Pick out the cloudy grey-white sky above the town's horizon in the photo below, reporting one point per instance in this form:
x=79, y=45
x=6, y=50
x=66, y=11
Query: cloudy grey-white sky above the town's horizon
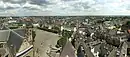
x=63, y=7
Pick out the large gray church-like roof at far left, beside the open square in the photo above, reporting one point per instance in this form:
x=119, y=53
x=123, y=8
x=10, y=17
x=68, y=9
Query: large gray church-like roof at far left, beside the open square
x=13, y=40
